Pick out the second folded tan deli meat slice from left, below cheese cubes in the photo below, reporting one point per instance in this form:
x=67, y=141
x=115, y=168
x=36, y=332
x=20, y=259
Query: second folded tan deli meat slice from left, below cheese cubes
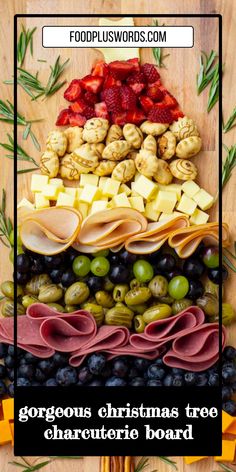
x=110, y=228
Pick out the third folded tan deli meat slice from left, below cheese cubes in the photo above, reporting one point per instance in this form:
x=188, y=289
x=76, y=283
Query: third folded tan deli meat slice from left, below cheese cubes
x=155, y=235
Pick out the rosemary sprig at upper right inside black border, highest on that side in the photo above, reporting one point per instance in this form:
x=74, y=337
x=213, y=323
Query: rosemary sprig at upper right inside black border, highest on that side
x=207, y=70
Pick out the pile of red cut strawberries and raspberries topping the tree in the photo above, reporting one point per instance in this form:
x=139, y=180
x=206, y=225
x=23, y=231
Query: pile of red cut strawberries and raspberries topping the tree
x=122, y=92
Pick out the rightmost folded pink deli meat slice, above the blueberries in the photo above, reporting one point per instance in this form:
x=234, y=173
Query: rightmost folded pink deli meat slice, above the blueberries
x=198, y=350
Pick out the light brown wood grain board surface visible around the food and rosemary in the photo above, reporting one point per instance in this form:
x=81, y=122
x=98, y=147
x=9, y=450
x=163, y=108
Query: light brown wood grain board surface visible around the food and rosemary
x=179, y=77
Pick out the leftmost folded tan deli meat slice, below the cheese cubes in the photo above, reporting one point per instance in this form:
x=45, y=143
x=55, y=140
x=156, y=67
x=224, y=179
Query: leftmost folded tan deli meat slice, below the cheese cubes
x=50, y=230
